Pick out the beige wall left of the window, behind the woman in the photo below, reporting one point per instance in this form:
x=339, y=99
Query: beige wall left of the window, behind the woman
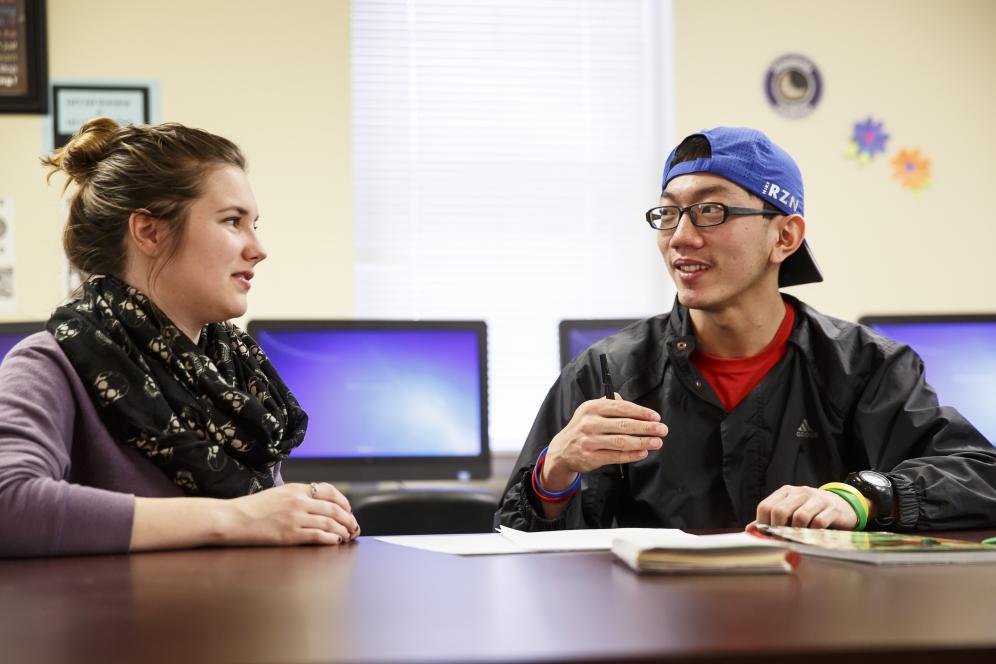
x=272, y=77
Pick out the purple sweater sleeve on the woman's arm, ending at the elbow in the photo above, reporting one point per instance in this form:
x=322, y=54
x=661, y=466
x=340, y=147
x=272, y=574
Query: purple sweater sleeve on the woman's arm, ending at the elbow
x=41, y=513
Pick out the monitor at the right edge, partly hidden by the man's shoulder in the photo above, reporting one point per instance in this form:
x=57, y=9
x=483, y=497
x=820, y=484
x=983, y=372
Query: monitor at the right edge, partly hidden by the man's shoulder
x=959, y=355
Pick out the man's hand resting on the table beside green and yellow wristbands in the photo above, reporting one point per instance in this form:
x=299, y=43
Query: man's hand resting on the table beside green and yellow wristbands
x=806, y=507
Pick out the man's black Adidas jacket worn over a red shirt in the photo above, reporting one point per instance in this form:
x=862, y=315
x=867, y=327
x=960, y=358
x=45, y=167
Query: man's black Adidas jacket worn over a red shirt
x=841, y=399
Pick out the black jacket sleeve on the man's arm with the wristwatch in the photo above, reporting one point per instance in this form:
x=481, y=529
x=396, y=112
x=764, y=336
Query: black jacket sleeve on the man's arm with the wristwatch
x=942, y=469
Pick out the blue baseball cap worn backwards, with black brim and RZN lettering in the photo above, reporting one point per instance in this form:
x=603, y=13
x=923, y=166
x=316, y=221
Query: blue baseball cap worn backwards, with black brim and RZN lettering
x=748, y=158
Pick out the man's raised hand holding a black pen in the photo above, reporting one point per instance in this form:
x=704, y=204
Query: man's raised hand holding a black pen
x=602, y=431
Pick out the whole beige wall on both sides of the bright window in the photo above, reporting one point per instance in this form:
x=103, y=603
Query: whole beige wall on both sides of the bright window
x=276, y=80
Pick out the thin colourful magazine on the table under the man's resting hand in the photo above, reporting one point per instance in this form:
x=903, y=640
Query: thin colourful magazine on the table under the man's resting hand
x=880, y=548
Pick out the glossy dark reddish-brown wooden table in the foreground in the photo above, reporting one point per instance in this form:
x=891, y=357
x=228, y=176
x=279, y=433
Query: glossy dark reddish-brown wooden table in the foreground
x=376, y=602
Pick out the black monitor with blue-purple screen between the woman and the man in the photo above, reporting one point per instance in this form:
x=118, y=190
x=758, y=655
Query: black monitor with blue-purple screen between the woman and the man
x=386, y=400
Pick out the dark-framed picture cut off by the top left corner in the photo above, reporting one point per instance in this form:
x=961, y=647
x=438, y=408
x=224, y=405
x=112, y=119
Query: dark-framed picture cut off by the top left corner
x=23, y=57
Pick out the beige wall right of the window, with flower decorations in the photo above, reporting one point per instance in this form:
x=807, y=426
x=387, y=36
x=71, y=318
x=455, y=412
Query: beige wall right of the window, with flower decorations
x=926, y=68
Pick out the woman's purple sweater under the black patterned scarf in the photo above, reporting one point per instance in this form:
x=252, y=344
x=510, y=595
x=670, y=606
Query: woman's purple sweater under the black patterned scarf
x=66, y=486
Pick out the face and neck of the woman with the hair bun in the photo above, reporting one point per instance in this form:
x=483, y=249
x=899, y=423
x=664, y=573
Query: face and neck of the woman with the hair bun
x=207, y=281
